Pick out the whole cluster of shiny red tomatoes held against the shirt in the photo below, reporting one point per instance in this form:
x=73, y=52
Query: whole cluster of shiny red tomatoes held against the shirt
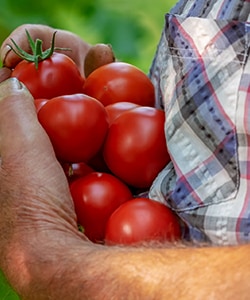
x=110, y=141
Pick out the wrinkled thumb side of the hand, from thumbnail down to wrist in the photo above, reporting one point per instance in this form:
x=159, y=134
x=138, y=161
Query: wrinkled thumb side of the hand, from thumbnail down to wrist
x=36, y=209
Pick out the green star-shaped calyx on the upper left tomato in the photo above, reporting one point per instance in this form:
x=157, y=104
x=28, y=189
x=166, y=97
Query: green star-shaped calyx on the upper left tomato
x=37, y=53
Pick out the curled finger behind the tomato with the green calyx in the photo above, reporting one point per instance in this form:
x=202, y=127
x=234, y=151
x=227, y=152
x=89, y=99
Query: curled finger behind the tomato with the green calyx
x=64, y=39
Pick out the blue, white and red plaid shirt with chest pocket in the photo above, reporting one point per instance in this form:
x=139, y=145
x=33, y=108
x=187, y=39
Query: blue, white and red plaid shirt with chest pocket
x=201, y=72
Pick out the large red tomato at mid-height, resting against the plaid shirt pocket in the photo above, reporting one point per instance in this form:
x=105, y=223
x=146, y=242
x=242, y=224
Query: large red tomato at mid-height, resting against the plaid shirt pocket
x=135, y=147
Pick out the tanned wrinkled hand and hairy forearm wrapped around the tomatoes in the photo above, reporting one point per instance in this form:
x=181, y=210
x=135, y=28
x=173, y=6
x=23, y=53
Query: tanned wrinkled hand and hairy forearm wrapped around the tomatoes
x=45, y=257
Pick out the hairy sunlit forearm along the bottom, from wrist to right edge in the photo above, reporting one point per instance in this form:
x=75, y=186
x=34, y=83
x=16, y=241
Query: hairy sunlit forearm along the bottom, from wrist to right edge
x=90, y=271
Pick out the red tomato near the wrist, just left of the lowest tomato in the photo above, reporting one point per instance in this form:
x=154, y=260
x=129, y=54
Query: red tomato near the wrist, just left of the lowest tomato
x=96, y=196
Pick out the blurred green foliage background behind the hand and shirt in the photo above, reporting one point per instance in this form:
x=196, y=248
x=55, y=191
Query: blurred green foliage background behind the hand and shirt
x=133, y=29
